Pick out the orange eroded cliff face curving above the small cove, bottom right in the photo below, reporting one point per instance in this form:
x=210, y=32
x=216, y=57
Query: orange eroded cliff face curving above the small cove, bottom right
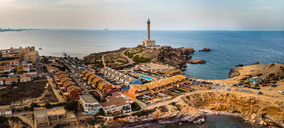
x=255, y=109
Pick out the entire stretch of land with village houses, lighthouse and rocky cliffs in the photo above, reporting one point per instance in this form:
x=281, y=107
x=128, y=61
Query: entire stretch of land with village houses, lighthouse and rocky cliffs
x=131, y=87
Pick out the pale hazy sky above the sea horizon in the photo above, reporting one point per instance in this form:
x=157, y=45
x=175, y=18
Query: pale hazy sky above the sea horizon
x=133, y=14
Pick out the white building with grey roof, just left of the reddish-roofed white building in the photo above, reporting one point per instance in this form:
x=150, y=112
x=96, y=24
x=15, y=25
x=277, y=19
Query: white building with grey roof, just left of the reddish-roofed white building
x=90, y=104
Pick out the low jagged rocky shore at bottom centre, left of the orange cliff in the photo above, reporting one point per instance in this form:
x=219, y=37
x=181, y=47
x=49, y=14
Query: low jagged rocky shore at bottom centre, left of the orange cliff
x=174, y=112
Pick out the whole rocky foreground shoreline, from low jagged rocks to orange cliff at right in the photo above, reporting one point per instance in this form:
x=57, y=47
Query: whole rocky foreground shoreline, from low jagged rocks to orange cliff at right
x=257, y=111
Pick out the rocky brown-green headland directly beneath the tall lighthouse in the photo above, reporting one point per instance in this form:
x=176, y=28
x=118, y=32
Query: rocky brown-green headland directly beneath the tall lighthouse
x=126, y=57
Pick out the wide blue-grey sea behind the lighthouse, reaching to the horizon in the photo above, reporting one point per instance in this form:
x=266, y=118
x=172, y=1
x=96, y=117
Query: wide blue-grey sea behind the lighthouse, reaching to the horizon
x=229, y=48
